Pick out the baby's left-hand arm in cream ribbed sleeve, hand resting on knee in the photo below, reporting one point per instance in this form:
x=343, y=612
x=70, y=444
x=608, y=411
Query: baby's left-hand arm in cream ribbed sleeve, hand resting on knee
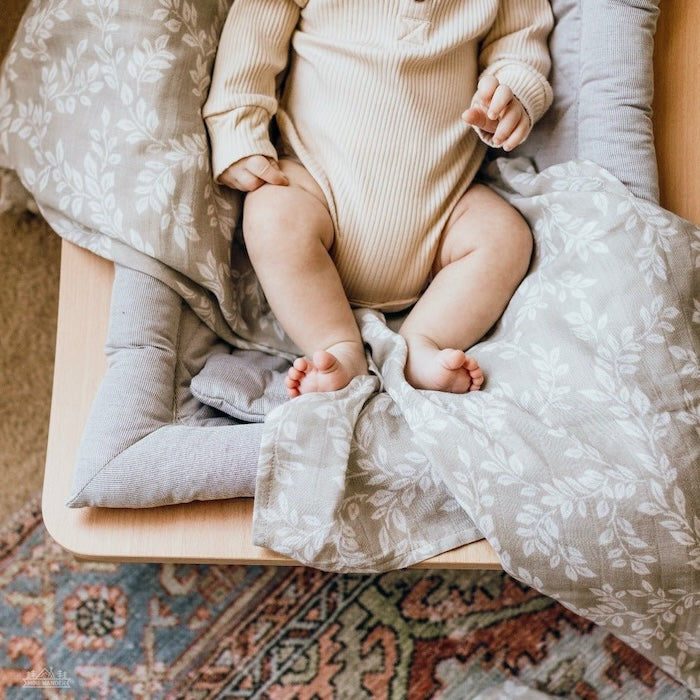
x=253, y=51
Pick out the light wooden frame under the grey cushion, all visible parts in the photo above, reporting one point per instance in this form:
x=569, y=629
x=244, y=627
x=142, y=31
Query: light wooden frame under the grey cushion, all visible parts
x=220, y=531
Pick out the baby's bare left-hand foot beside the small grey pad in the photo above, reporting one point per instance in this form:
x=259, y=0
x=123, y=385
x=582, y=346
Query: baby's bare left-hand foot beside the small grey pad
x=326, y=371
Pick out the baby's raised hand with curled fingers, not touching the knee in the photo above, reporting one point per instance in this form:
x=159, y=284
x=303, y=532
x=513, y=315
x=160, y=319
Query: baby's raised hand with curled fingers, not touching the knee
x=497, y=111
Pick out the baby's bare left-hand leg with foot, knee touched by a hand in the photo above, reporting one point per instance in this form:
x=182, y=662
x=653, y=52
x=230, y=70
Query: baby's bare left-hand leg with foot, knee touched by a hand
x=288, y=232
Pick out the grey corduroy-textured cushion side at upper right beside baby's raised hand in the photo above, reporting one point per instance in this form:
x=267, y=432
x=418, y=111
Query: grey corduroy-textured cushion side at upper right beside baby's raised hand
x=603, y=83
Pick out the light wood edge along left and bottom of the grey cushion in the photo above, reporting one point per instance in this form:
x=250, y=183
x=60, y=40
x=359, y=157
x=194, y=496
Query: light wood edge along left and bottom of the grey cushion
x=216, y=532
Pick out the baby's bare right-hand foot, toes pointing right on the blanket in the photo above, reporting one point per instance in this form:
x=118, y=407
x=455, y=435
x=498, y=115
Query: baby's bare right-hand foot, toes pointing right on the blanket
x=449, y=370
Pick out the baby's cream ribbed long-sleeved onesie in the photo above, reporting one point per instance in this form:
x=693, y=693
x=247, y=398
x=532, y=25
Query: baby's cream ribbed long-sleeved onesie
x=371, y=106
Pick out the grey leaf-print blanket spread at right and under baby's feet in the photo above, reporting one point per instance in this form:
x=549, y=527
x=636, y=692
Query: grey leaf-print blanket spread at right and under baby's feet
x=578, y=460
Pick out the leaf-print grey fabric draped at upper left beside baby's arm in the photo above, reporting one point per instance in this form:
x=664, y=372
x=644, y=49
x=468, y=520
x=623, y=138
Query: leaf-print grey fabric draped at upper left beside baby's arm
x=137, y=172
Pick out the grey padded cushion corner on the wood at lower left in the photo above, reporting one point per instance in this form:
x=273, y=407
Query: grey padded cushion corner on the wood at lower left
x=148, y=440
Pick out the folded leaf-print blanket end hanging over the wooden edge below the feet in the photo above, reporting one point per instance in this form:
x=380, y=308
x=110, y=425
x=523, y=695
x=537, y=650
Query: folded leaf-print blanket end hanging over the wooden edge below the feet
x=328, y=460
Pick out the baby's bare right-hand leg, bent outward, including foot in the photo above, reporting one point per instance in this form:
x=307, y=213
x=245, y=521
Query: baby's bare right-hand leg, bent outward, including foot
x=483, y=256
